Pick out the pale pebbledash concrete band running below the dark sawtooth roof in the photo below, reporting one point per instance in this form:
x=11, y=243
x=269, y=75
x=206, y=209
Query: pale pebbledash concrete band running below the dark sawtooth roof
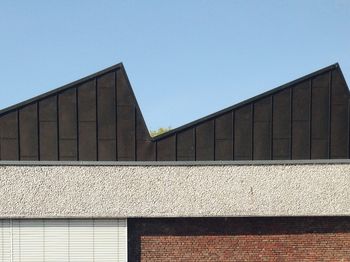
x=174, y=190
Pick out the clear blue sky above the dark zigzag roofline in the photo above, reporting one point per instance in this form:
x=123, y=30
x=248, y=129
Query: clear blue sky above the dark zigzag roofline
x=185, y=59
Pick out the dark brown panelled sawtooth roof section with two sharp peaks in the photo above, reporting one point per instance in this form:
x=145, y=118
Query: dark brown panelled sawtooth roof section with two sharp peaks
x=98, y=118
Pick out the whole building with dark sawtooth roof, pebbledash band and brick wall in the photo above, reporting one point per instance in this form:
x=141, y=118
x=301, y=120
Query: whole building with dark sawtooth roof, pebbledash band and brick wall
x=267, y=178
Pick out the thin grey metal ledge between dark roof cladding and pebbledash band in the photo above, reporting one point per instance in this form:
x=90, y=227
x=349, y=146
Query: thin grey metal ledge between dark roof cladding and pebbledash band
x=177, y=163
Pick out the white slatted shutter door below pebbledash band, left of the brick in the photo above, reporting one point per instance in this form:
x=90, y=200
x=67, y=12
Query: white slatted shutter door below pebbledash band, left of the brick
x=63, y=240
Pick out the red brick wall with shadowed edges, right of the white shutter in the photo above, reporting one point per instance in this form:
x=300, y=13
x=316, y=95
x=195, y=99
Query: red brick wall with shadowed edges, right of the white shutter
x=240, y=239
